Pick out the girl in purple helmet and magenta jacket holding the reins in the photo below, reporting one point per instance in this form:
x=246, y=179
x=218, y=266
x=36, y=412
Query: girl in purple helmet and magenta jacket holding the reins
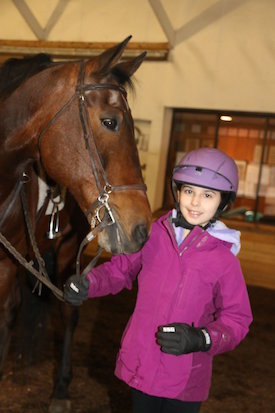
x=192, y=301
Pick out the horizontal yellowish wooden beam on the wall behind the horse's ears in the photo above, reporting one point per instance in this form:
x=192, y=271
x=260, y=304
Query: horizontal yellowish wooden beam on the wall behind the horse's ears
x=78, y=50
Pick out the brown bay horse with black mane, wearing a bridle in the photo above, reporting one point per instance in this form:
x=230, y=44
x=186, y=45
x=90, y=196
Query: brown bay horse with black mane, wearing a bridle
x=68, y=126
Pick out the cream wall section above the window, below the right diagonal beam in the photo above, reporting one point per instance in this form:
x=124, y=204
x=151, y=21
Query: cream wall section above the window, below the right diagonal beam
x=229, y=64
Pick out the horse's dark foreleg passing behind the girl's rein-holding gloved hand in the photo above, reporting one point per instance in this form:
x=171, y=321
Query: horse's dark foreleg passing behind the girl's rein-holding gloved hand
x=75, y=230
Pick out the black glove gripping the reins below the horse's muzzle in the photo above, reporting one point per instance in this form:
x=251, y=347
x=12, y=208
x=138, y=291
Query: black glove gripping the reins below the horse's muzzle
x=76, y=289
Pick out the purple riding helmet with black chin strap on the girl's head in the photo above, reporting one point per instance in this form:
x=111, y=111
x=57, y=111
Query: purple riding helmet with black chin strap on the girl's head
x=209, y=168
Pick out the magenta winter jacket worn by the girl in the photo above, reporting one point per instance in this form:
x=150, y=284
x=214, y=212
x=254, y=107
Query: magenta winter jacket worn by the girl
x=199, y=282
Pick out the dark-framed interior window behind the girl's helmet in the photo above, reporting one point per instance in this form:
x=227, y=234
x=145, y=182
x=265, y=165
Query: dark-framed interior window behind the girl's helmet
x=248, y=138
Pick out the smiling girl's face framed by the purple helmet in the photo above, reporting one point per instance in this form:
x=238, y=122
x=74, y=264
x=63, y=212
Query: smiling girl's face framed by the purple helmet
x=198, y=205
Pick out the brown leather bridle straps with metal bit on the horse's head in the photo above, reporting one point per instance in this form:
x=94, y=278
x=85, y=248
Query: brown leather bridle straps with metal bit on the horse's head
x=96, y=163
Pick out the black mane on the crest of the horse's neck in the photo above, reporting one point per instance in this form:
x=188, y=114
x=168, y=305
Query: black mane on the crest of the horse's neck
x=15, y=70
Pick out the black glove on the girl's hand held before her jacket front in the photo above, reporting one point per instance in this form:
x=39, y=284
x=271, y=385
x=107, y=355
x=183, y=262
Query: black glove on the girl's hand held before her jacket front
x=180, y=338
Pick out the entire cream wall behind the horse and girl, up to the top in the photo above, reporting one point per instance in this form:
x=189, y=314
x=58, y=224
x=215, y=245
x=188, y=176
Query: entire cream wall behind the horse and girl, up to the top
x=223, y=58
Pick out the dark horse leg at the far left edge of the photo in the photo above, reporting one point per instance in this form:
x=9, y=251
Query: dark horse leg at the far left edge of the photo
x=10, y=299
